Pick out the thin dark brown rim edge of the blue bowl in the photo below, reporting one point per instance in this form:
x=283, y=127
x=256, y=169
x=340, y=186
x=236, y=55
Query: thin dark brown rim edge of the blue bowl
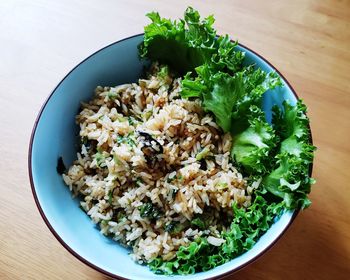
x=82, y=259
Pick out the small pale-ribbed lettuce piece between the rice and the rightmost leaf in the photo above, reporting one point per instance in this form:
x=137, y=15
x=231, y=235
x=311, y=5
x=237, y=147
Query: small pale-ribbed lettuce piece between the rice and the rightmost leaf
x=251, y=148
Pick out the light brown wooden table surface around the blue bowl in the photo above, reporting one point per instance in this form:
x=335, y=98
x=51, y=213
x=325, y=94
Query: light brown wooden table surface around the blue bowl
x=309, y=41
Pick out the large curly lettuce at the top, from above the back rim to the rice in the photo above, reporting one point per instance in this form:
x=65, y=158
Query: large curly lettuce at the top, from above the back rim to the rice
x=214, y=66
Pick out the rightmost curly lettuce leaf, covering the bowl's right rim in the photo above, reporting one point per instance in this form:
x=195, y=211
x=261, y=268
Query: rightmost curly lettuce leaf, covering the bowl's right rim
x=290, y=179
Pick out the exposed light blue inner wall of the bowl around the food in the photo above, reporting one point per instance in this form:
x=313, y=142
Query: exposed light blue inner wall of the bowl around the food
x=55, y=135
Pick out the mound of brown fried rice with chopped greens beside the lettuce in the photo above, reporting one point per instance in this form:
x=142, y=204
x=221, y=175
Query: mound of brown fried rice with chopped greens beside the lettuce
x=150, y=161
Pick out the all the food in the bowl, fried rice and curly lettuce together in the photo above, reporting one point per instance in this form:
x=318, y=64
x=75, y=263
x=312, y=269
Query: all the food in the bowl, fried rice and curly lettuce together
x=183, y=166
